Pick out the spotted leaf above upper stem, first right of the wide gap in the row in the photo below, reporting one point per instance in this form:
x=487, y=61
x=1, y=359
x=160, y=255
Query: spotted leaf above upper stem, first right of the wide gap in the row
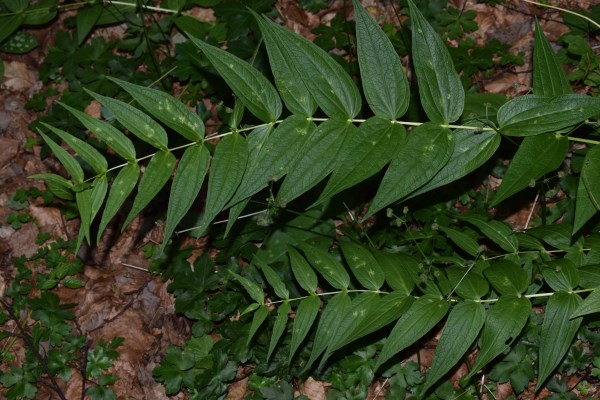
x=249, y=85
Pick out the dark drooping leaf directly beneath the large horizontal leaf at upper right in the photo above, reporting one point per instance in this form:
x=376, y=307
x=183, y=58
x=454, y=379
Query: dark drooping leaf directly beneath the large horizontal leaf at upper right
x=536, y=156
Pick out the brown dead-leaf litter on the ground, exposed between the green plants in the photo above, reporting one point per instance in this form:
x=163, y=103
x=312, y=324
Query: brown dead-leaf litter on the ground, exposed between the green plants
x=120, y=297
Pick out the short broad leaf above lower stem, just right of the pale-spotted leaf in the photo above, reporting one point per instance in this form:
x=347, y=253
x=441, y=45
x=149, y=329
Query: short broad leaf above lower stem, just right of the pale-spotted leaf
x=399, y=270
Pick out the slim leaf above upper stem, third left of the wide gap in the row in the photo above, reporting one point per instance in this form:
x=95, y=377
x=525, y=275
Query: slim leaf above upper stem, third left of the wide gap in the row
x=115, y=139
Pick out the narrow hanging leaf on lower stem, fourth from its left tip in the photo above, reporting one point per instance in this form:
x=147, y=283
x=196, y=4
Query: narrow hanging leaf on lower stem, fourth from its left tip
x=328, y=329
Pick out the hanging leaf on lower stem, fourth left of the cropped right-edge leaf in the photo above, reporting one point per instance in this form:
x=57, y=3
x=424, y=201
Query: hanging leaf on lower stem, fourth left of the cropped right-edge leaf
x=420, y=318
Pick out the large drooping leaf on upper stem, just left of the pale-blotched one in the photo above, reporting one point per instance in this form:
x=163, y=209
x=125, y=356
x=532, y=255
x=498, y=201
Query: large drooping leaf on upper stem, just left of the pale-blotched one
x=364, y=154
